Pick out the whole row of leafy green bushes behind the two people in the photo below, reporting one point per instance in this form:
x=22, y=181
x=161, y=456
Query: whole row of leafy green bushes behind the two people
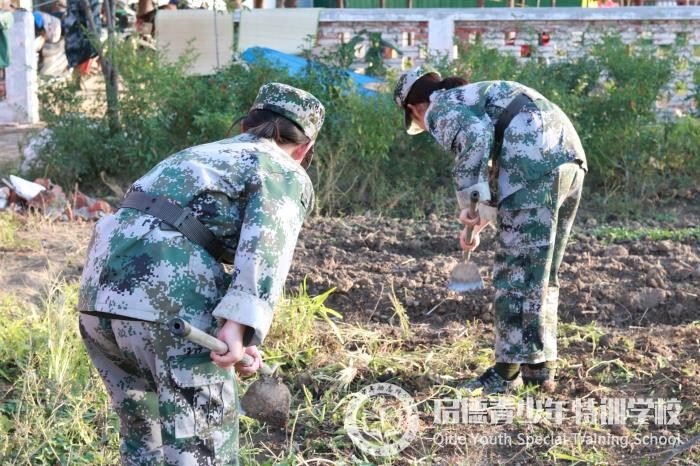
x=364, y=160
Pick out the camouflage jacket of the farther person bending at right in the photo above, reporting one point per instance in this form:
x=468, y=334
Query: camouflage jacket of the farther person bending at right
x=463, y=119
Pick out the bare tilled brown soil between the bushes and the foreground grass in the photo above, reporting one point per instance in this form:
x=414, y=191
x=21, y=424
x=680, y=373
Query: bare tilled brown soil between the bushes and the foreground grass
x=636, y=283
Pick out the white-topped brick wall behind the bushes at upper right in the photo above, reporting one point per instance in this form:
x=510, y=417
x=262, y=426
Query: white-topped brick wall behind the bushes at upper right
x=535, y=33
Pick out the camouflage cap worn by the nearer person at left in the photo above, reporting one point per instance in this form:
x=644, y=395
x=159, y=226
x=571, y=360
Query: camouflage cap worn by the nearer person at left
x=295, y=104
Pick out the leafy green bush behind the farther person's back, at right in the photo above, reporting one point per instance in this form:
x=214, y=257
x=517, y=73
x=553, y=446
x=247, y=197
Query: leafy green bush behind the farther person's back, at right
x=610, y=95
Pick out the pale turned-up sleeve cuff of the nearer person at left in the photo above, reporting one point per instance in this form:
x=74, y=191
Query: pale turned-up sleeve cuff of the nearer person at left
x=248, y=310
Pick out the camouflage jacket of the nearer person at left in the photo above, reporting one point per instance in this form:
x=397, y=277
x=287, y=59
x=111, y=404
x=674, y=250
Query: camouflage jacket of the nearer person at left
x=249, y=193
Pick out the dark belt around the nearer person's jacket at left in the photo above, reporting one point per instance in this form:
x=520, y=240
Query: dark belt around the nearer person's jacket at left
x=183, y=220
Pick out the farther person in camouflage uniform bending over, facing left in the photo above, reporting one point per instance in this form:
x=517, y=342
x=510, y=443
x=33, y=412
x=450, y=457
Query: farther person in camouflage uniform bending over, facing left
x=533, y=176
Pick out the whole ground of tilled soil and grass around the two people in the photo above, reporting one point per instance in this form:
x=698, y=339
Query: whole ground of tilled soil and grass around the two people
x=628, y=328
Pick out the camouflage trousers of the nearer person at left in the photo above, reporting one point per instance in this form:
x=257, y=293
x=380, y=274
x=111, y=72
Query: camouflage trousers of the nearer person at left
x=175, y=406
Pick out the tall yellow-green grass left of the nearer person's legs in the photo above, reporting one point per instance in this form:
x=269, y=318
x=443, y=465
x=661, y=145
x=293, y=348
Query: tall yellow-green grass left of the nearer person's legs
x=53, y=407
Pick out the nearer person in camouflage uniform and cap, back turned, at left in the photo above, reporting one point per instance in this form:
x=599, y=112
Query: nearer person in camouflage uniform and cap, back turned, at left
x=176, y=401
